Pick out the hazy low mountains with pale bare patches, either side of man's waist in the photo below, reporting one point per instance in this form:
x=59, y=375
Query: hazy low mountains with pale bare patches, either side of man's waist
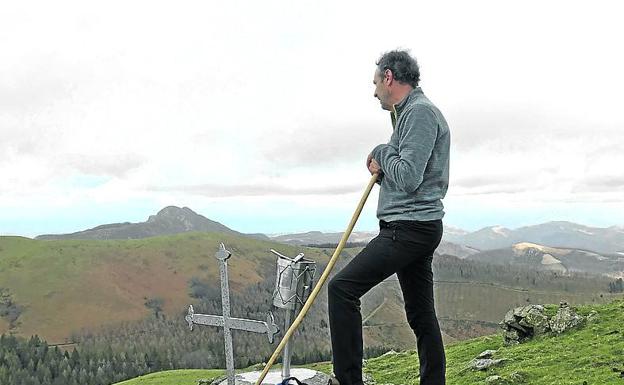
x=502, y=246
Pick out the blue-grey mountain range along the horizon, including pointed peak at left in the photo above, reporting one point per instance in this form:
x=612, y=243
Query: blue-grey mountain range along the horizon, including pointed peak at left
x=461, y=243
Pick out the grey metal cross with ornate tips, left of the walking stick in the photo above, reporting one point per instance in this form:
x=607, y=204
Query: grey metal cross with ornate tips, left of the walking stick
x=228, y=323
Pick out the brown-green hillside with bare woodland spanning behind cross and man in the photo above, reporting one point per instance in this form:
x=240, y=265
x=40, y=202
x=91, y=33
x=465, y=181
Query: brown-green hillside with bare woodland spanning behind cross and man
x=58, y=287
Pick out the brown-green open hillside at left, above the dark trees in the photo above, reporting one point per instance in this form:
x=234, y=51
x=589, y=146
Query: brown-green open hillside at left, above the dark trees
x=62, y=286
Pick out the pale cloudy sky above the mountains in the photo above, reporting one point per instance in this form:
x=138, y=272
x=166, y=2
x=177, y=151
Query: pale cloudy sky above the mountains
x=260, y=114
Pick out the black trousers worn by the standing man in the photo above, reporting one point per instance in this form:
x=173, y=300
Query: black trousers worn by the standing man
x=405, y=248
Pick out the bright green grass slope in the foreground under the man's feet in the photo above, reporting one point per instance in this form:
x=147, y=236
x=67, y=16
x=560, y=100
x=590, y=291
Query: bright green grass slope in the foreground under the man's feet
x=593, y=353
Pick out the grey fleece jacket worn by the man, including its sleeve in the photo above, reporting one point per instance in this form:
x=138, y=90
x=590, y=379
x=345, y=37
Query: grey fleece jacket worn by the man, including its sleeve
x=415, y=162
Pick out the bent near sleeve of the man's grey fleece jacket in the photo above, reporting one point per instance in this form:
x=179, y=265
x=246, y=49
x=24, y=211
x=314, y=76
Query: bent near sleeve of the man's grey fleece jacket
x=405, y=164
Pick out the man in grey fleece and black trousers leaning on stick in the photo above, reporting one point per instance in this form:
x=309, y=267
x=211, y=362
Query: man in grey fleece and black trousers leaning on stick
x=413, y=168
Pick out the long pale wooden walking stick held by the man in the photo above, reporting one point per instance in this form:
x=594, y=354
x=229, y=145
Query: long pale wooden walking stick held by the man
x=319, y=284
